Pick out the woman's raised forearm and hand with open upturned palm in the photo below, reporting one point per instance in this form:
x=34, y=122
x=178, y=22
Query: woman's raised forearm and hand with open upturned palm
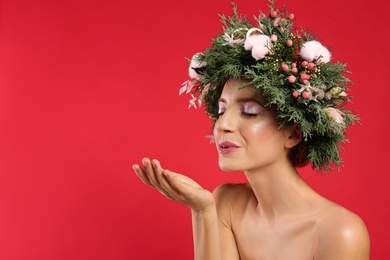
x=184, y=190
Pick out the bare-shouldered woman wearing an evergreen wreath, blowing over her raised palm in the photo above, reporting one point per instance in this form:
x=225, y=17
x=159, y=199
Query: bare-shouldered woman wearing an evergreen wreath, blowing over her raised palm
x=274, y=109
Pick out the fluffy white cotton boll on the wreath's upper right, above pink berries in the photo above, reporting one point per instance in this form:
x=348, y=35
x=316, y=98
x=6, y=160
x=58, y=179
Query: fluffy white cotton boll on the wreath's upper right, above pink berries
x=314, y=50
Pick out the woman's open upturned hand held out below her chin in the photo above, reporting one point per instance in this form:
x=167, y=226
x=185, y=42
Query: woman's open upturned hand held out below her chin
x=174, y=186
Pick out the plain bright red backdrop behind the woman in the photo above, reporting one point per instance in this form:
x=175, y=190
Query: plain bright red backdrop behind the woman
x=89, y=87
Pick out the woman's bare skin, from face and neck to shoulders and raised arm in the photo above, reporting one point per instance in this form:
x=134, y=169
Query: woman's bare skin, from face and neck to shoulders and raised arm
x=276, y=215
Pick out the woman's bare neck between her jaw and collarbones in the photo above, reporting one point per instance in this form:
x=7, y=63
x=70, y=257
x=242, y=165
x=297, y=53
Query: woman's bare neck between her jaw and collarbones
x=280, y=191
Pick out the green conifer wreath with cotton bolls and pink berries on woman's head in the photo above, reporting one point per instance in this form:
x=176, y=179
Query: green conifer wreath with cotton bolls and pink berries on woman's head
x=293, y=70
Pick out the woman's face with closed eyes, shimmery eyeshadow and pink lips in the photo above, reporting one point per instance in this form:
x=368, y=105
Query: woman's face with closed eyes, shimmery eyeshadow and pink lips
x=246, y=133
